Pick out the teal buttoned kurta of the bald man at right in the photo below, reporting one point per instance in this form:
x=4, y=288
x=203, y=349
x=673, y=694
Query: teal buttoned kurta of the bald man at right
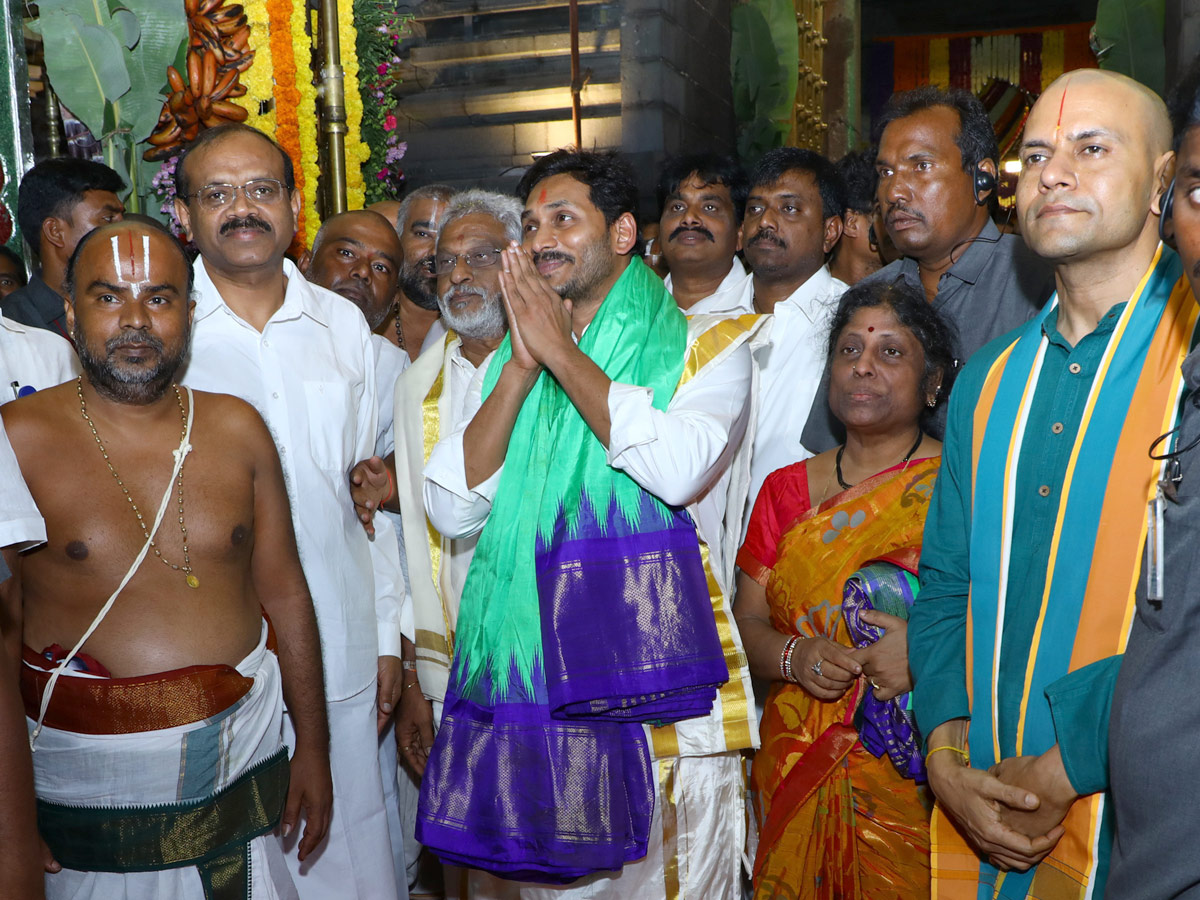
x=937, y=632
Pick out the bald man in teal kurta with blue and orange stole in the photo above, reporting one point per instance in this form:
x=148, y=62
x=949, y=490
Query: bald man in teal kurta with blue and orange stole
x=1039, y=525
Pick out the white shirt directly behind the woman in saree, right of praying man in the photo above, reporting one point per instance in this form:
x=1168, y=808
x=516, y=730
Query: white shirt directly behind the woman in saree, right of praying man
x=791, y=368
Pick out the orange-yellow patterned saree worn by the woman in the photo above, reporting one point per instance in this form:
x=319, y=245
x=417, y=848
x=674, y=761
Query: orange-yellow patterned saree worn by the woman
x=860, y=830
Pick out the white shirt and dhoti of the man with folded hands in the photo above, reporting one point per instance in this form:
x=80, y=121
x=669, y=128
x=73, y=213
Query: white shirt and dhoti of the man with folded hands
x=680, y=455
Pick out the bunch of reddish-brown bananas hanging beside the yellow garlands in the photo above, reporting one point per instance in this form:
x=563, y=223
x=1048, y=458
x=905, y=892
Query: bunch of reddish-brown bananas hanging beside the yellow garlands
x=219, y=52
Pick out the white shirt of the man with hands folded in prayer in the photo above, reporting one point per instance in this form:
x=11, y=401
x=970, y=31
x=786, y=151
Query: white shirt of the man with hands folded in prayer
x=677, y=455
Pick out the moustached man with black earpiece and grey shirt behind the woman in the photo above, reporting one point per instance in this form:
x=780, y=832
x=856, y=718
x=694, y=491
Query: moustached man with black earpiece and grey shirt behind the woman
x=937, y=165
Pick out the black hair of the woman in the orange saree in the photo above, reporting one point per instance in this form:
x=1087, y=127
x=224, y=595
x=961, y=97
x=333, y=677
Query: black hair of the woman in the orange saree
x=935, y=333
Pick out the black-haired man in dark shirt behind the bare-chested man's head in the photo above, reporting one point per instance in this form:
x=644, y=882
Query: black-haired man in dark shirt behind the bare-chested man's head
x=58, y=203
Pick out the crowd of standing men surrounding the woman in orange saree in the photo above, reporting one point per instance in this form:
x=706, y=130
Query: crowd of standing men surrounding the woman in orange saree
x=275, y=557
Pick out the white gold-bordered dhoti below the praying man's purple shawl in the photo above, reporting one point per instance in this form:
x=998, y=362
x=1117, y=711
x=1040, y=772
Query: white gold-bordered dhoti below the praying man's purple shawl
x=698, y=837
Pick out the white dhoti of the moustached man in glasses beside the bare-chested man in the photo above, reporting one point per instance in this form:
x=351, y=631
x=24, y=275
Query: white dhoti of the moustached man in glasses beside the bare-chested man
x=356, y=861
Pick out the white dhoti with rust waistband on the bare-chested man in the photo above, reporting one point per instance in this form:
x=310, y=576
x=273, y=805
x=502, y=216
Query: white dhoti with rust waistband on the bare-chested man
x=184, y=770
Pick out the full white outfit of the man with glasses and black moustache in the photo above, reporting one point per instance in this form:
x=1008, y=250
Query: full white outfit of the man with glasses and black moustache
x=311, y=375
